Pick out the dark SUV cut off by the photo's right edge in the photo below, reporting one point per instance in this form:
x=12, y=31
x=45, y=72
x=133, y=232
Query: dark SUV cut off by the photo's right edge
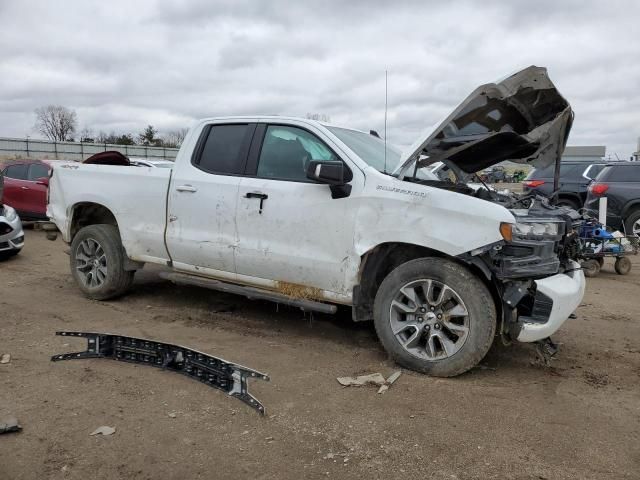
x=620, y=183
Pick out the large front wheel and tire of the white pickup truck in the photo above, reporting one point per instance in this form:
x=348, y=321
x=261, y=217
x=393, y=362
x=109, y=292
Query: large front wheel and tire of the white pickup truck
x=467, y=303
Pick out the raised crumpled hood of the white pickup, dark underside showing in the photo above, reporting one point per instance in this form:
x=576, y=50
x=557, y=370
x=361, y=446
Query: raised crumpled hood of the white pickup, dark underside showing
x=522, y=118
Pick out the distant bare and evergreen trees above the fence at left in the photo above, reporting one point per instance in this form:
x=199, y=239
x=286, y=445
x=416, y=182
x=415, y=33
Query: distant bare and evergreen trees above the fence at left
x=59, y=123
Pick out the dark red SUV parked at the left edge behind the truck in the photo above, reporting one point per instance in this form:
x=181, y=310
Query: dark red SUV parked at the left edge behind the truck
x=25, y=187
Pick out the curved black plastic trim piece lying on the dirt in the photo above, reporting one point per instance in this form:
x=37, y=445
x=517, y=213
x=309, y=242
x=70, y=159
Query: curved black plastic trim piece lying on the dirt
x=215, y=372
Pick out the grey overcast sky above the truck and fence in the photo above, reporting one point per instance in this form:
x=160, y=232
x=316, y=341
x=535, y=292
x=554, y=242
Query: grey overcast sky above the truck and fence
x=125, y=64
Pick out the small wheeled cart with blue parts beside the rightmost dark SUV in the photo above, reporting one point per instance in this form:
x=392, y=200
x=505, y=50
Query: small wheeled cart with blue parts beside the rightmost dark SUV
x=596, y=243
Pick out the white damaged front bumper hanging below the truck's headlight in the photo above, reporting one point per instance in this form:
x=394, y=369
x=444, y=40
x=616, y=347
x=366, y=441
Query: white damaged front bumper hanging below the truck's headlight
x=555, y=298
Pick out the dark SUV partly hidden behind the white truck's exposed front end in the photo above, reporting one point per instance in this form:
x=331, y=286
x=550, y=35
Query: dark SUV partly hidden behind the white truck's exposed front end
x=574, y=180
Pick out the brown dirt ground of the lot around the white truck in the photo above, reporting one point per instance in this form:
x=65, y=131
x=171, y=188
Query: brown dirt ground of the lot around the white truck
x=510, y=419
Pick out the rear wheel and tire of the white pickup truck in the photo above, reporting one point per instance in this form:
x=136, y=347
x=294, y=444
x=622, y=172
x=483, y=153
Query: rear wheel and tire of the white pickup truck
x=97, y=261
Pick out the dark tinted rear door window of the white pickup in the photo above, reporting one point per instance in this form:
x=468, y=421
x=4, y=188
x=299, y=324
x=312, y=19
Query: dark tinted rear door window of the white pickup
x=225, y=149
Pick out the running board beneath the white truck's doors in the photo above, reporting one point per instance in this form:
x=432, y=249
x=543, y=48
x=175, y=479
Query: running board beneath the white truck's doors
x=249, y=292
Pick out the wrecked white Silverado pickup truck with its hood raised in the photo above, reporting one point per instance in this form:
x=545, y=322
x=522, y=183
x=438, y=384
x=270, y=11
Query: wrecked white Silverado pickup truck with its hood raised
x=315, y=215
